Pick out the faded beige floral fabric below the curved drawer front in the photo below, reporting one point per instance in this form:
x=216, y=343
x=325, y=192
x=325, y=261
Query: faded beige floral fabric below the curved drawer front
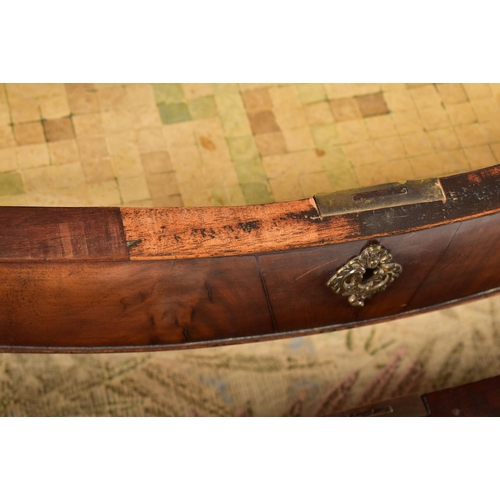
x=305, y=376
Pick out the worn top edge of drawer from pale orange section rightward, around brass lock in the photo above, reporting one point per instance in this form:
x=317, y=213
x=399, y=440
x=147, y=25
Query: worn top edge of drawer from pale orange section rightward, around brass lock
x=184, y=233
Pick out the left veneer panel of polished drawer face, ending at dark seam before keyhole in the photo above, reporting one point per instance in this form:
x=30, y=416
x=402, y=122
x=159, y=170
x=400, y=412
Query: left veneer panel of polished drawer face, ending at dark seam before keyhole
x=116, y=304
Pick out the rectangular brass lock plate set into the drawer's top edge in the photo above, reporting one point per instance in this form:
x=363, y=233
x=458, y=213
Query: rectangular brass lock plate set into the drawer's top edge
x=395, y=194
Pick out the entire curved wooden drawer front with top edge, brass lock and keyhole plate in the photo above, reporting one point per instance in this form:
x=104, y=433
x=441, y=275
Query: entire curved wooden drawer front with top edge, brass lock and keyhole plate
x=116, y=279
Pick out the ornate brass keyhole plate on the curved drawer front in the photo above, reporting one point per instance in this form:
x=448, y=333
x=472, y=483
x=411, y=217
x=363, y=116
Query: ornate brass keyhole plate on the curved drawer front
x=367, y=274
